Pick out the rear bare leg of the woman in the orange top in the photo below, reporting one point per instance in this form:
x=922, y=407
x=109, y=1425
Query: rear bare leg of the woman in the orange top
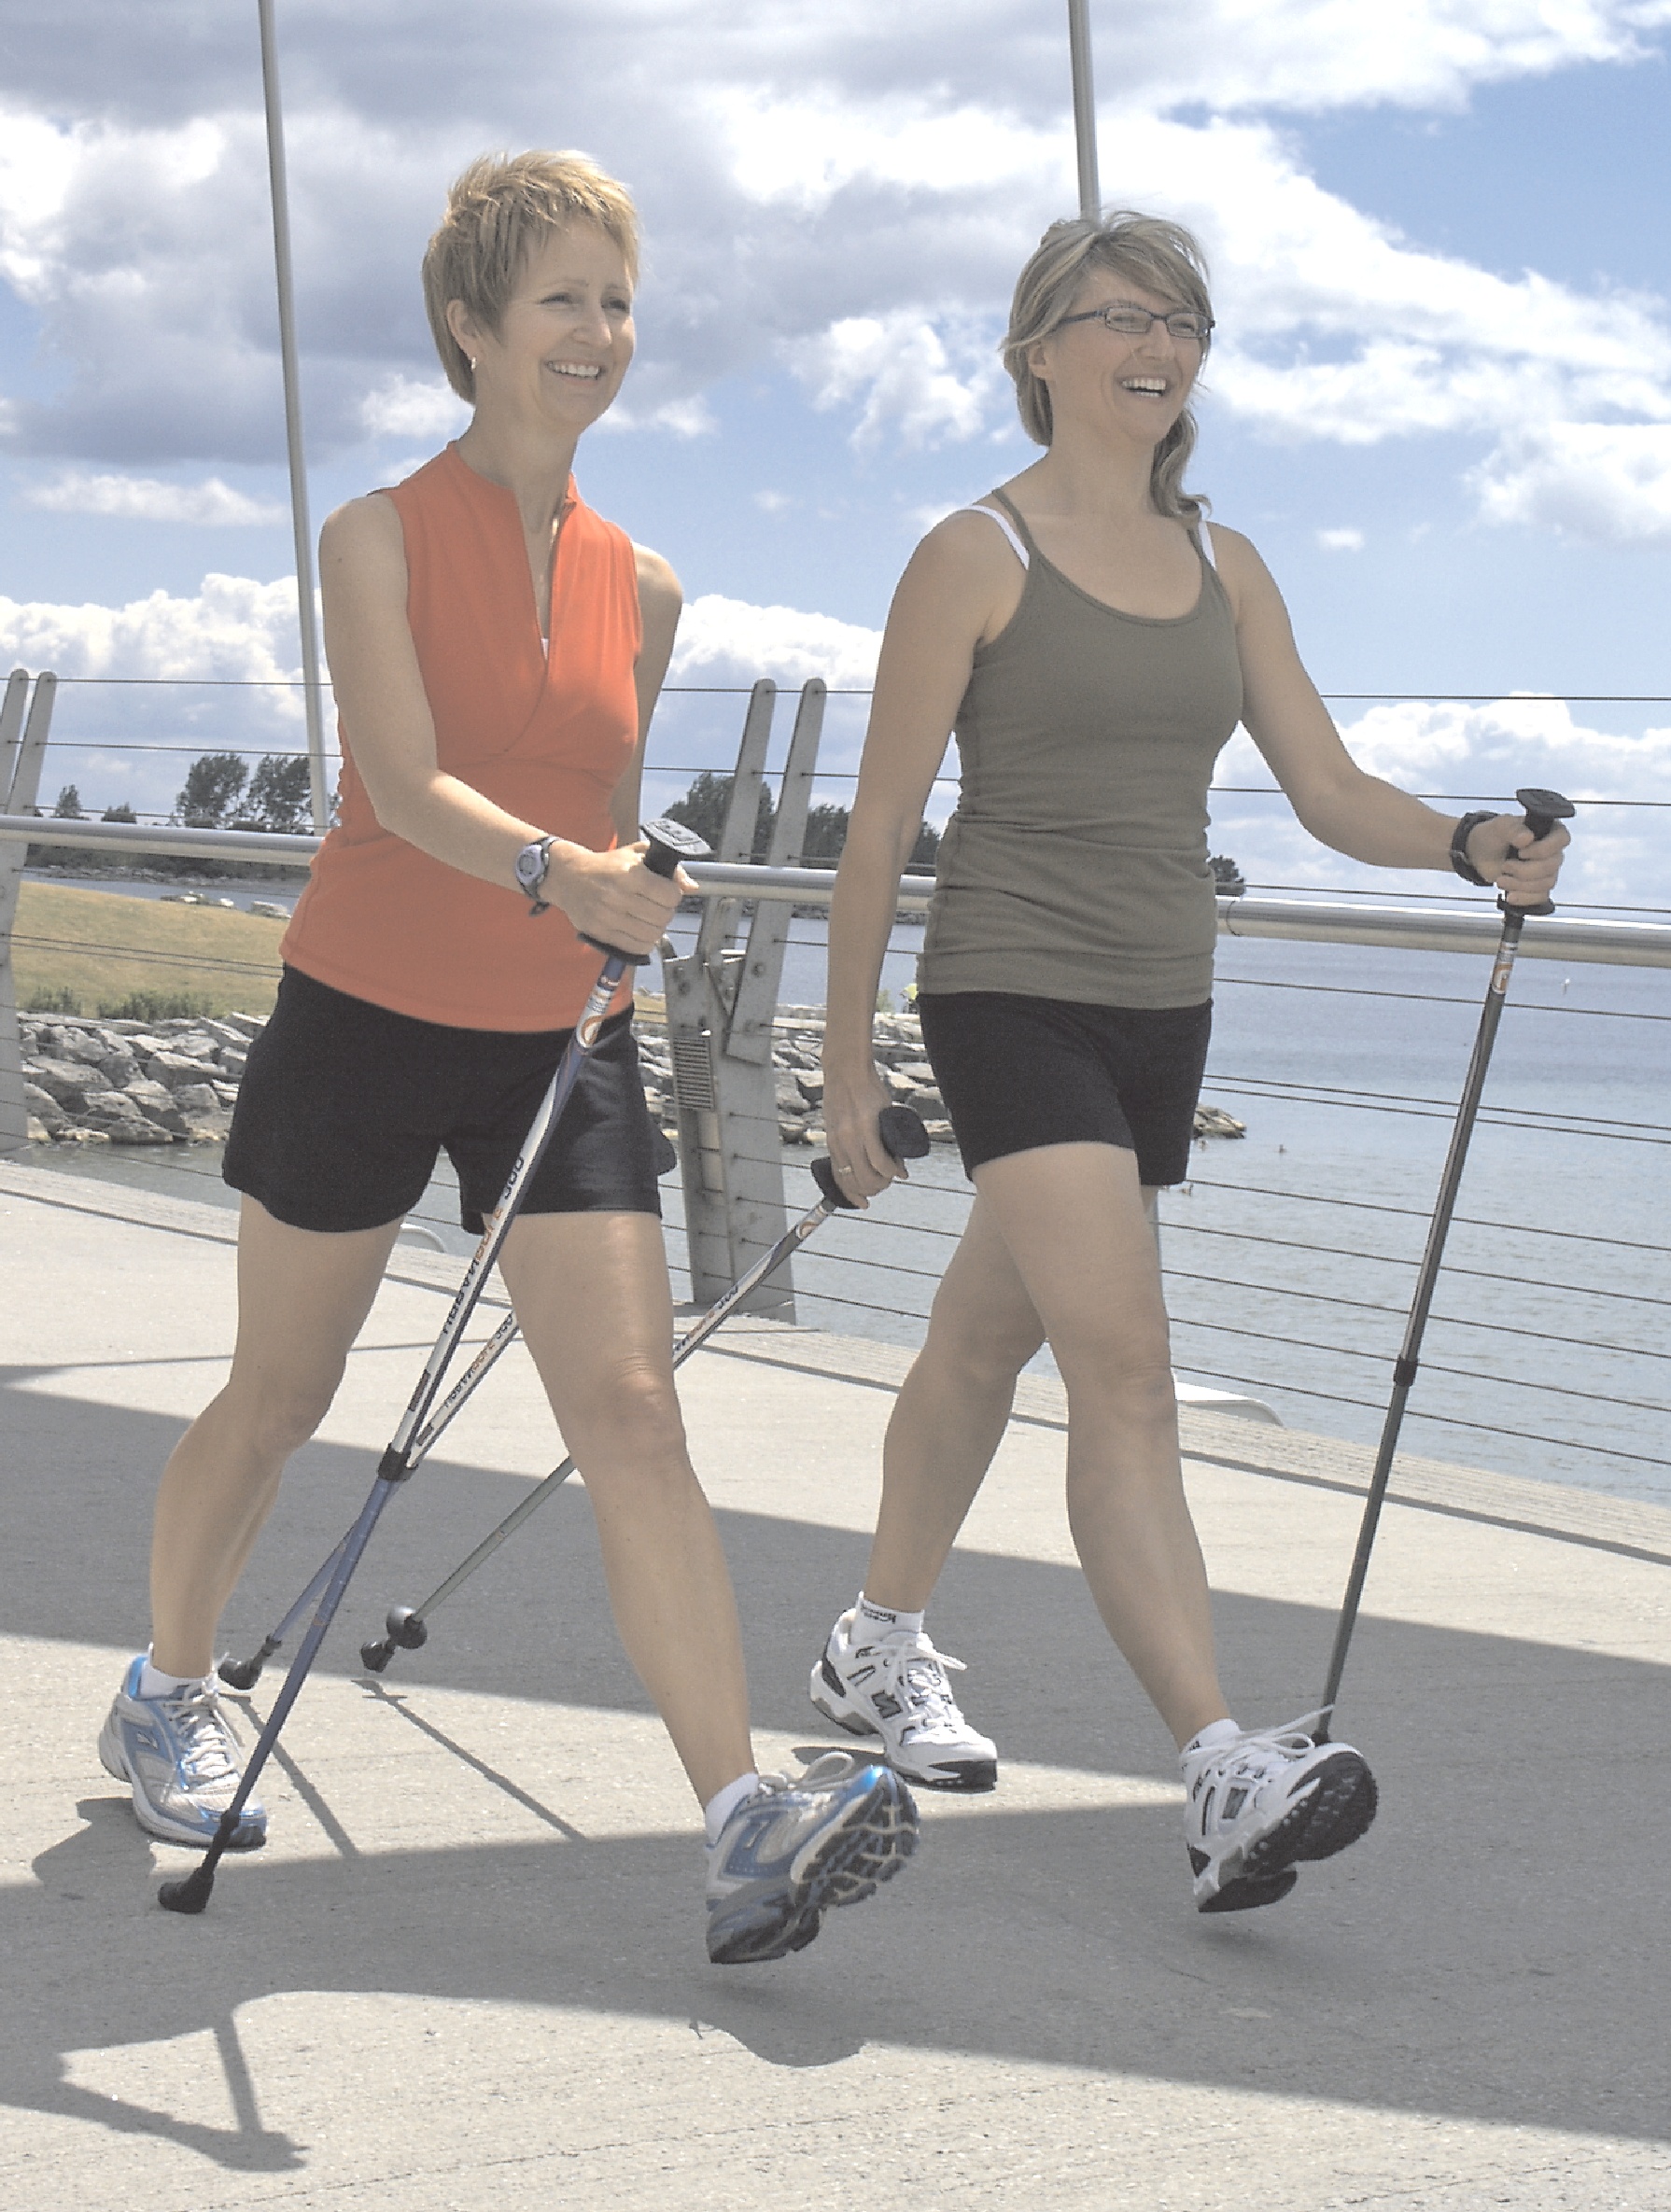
x=302, y=1304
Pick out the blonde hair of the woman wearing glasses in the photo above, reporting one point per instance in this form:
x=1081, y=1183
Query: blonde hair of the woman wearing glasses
x=1143, y=249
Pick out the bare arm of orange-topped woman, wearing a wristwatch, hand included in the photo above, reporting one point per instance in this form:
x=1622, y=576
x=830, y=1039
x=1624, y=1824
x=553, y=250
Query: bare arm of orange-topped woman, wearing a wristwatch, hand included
x=380, y=687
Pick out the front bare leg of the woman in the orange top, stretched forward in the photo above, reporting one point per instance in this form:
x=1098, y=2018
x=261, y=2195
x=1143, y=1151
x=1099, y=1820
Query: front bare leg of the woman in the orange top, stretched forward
x=596, y=1313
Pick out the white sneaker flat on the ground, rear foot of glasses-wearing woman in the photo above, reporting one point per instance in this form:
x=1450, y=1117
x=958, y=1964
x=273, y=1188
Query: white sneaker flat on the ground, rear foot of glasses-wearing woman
x=895, y=1687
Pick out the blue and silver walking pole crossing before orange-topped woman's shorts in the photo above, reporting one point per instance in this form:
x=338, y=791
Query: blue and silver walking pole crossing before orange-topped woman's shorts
x=670, y=842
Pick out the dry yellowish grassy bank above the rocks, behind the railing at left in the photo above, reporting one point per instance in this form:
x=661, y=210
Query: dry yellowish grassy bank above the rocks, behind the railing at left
x=94, y=952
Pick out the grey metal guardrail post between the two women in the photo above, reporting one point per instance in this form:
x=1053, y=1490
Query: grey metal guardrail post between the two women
x=720, y=1005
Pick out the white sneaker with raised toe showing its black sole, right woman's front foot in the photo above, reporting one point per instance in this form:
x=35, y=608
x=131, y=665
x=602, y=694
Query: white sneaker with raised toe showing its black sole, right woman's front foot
x=1263, y=1802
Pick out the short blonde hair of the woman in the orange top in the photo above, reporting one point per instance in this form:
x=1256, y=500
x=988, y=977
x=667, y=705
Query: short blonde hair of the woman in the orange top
x=497, y=213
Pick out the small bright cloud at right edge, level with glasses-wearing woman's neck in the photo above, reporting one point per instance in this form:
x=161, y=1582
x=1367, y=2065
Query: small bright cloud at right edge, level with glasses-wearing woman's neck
x=1601, y=481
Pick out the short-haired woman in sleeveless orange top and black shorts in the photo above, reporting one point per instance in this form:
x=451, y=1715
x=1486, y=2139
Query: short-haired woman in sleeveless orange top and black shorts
x=497, y=651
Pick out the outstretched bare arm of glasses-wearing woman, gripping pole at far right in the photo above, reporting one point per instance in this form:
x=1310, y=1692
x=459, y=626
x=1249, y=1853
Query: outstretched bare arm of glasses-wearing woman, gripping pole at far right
x=1331, y=795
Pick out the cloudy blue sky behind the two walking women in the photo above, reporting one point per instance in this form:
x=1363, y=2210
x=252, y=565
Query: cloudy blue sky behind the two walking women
x=1440, y=404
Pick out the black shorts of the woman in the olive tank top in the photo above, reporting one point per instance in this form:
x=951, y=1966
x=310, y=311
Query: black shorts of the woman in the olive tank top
x=1024, y=1072
